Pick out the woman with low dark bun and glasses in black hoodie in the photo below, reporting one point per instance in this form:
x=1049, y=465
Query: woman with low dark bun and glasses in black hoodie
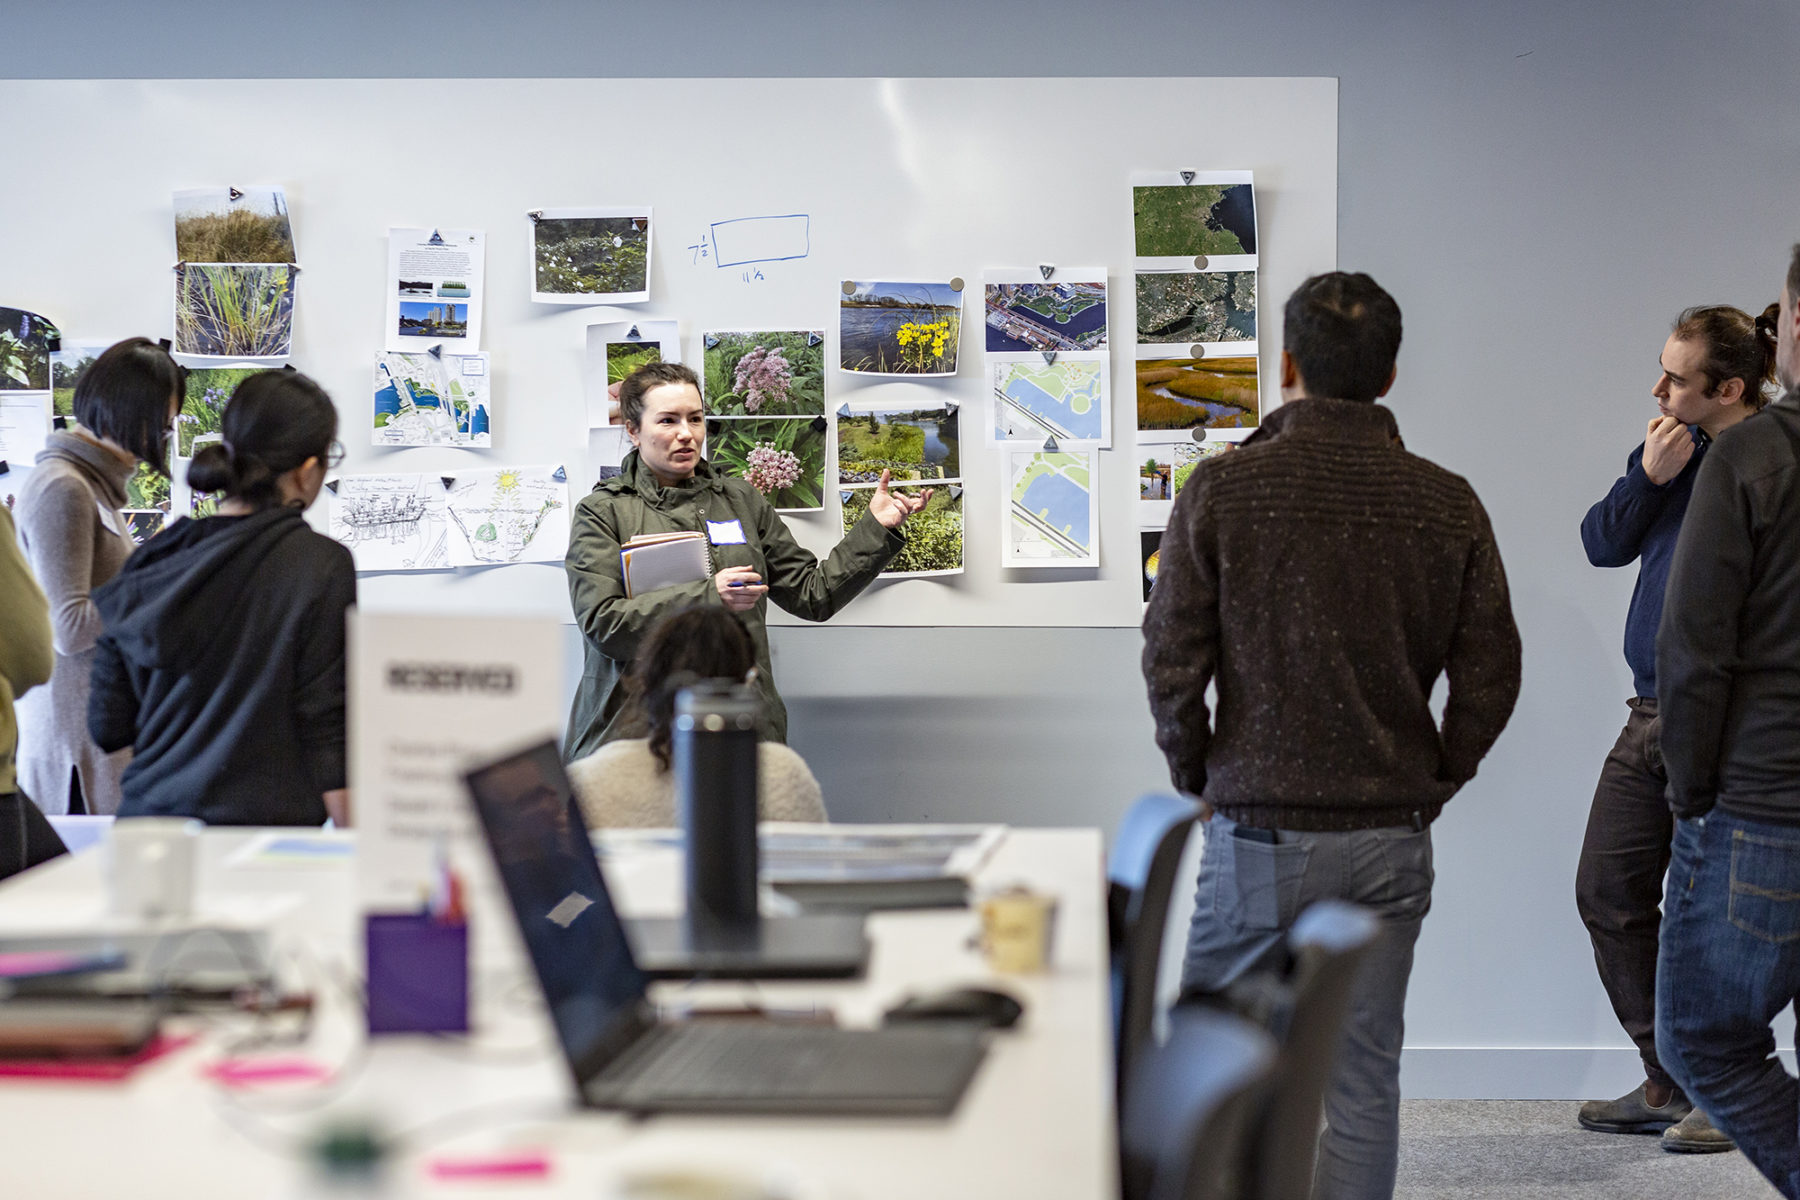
x=222, y=663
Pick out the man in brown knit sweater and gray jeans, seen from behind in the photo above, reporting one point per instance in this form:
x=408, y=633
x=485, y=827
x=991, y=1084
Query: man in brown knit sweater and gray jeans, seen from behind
x=1322, y=578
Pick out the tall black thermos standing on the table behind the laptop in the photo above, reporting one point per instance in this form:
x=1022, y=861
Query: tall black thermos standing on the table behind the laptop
x=715, y=794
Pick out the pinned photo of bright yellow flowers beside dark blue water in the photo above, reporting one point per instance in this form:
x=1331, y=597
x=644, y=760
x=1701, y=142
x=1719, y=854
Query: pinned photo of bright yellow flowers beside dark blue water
x=899, y=328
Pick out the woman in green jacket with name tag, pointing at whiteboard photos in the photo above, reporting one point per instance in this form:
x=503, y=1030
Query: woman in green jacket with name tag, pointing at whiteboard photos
x=669, y=487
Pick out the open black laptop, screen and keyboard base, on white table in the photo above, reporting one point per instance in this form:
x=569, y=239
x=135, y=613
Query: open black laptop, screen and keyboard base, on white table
x=620, y=1053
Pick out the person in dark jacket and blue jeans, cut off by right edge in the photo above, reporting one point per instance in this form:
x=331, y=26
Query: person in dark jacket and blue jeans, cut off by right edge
x=1729, y=681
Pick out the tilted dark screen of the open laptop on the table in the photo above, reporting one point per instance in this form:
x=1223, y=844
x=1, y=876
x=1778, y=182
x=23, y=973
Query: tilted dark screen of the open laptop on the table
x=575, y=938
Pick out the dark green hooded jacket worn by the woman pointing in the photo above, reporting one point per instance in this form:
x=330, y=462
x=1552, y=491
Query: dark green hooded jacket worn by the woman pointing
x=611, y=625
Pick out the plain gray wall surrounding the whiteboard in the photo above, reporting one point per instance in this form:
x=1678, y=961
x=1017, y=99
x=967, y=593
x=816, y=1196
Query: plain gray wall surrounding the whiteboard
x=1542, y=184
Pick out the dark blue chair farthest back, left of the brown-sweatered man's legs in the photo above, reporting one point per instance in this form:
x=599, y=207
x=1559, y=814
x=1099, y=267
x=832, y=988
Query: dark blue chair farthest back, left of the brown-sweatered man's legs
x=1140, y=882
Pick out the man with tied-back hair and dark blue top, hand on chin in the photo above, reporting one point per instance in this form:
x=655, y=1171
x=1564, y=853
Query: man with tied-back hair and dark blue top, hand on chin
x=1714, y=372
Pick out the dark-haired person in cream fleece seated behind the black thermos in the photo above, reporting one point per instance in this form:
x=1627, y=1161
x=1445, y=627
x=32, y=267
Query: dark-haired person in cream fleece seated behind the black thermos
x=629, y=782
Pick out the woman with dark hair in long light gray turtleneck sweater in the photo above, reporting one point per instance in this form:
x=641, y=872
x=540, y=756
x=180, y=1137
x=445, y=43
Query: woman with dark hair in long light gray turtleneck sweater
x=76, y=539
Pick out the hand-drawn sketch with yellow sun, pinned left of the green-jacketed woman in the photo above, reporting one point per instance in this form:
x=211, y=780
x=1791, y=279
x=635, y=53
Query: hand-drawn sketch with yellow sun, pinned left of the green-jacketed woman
x=510, y=515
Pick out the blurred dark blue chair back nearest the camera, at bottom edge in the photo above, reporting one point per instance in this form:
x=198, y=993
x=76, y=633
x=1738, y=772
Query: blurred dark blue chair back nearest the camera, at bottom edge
x=1192, y=1109
